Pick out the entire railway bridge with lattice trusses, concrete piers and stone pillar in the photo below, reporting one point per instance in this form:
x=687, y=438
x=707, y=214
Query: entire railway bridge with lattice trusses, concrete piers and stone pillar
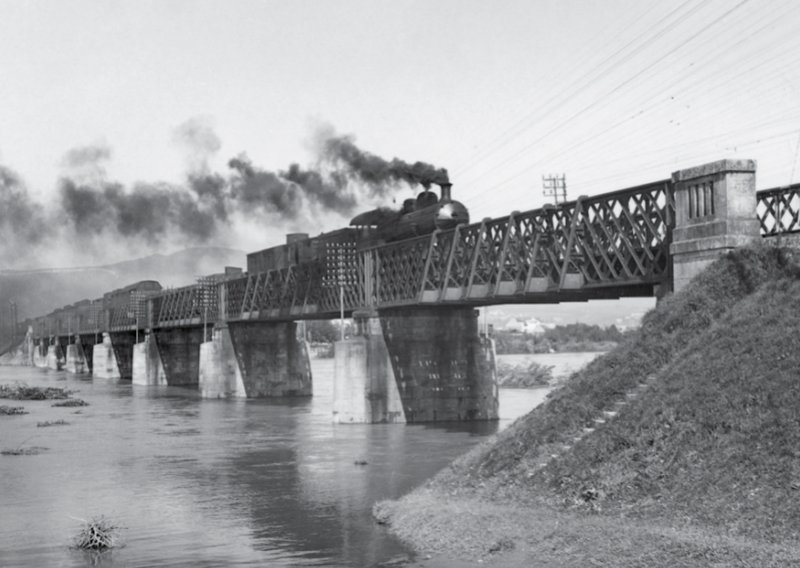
x=417, y=354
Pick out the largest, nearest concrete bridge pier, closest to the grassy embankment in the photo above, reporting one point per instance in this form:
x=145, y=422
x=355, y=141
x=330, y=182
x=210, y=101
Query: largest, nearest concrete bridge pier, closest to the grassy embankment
x=424, y=364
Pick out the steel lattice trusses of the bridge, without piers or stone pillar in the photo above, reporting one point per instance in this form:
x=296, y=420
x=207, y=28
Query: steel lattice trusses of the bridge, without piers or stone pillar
x=607, y=246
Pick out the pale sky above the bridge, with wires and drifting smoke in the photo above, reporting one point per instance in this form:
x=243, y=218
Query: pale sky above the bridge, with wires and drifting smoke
x=140, y=105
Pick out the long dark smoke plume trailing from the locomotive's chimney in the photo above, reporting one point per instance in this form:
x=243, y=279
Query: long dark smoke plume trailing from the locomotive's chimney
x=92, y=210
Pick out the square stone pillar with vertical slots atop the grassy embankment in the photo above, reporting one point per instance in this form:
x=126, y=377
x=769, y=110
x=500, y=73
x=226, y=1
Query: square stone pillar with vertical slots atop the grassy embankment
x=715, y=212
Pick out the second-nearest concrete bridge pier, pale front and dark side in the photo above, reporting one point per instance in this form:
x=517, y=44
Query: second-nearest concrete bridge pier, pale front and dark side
x=268, y=357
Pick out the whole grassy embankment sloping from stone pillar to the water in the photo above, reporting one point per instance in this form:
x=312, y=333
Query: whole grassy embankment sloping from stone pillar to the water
x=697, y=463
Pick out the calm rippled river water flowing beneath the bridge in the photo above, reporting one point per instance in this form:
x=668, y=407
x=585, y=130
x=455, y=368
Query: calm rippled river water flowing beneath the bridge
x=198, y=482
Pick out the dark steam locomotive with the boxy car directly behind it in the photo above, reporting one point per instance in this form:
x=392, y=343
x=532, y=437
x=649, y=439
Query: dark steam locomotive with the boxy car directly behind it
x=418, y=216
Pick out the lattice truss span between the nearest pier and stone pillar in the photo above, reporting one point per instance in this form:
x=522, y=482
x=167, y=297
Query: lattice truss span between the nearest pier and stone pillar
x=619, y=238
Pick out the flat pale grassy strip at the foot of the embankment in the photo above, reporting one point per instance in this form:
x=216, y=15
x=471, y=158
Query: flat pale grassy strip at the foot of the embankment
x=470, y=531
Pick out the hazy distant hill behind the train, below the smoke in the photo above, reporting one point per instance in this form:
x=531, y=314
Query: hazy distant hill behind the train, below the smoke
x=40, y=291
